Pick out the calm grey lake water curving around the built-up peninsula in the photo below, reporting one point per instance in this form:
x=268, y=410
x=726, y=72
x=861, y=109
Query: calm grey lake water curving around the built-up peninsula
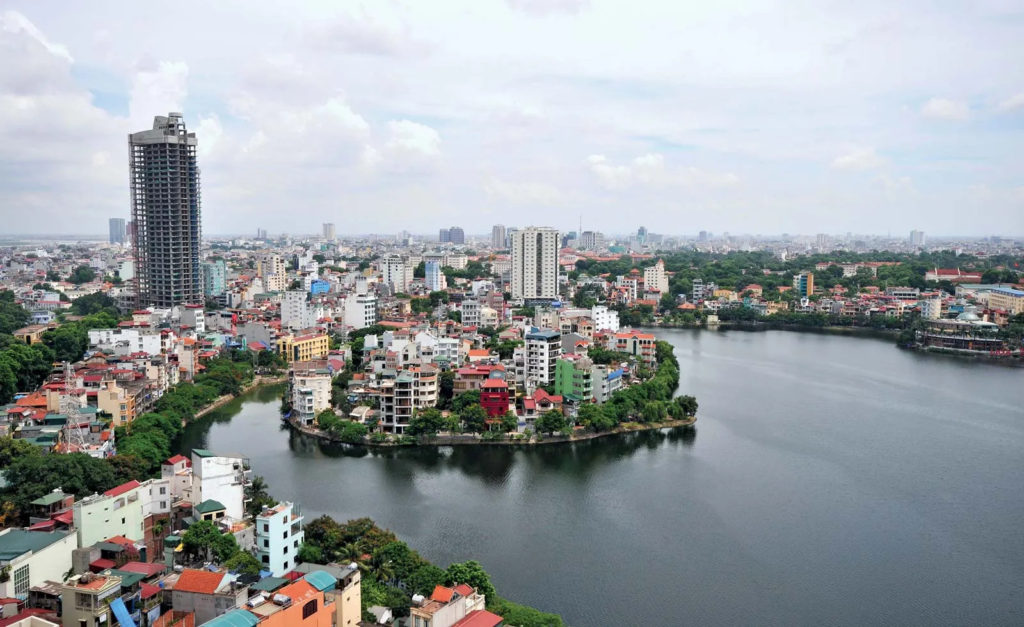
x=829, y=481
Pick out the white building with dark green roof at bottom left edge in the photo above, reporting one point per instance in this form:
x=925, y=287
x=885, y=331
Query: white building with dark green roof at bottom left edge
x=33, y=558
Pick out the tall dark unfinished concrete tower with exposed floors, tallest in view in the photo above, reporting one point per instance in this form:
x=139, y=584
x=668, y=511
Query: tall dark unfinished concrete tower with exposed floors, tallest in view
x=165, y=197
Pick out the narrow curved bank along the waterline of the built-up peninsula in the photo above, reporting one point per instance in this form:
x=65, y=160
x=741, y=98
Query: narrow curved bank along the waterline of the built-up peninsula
x=476, y=440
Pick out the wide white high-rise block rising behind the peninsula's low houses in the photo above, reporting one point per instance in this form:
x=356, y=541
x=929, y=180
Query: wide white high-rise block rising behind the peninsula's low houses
x=535, y=264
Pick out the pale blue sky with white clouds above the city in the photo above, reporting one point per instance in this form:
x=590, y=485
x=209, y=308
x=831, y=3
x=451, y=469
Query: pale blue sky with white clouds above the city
x=383, y=116
